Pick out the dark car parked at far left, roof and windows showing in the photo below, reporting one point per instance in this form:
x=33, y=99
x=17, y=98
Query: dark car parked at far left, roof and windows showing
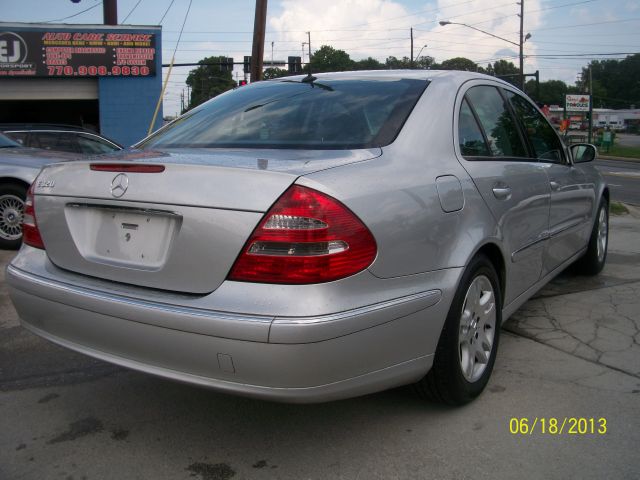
x=63, y=138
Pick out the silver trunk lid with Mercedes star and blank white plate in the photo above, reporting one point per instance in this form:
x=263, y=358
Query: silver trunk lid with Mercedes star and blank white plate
x=179, y=227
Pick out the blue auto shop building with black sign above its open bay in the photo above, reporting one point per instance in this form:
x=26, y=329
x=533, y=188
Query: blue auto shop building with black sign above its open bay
x=104, y=77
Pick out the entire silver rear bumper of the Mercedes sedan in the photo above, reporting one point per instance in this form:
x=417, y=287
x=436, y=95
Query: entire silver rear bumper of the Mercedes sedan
x=296, y=359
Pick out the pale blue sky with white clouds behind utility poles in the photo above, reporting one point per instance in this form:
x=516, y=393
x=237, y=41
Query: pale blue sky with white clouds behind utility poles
x=565, y=34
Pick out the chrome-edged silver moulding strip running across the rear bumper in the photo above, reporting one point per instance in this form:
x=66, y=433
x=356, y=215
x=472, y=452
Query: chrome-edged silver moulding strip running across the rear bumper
x=231, y=325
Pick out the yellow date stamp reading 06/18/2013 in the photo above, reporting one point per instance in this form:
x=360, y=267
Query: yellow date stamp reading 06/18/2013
x=558, y=426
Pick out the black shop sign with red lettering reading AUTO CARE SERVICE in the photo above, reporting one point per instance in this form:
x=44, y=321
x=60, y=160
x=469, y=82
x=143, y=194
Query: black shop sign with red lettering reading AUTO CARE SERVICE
x=76, y=52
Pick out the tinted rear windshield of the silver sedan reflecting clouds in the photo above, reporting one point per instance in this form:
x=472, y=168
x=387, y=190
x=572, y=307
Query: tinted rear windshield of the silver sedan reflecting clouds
x=324, y=114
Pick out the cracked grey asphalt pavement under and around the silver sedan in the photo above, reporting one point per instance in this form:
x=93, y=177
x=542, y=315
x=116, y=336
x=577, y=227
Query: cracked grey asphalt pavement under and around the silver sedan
x=563, y=402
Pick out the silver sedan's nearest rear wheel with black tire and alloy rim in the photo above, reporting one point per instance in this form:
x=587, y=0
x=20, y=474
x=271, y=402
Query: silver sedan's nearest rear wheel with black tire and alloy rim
x=467, y=347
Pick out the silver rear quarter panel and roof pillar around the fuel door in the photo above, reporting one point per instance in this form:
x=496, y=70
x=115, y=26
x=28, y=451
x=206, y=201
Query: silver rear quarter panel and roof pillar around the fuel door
x=396, y=196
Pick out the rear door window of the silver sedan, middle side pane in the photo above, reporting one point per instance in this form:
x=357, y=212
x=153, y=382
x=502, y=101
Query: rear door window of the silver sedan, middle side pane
x=497, y=122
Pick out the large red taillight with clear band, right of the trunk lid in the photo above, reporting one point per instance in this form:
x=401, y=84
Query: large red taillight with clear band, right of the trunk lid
x=306, y=237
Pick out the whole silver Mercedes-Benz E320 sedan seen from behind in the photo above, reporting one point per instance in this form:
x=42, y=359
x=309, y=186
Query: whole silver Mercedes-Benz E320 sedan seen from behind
x=314, y=237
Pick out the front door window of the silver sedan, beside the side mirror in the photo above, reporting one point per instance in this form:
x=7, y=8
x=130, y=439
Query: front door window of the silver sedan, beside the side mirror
x=543, y=138
